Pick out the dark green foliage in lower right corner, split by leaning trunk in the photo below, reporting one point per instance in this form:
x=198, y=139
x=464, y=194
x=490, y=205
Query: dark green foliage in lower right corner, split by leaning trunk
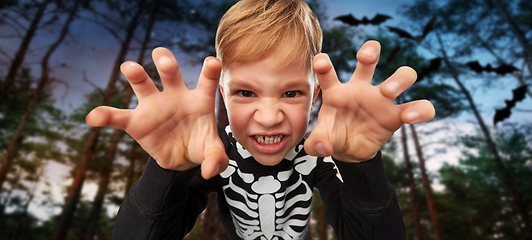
x=475, y=195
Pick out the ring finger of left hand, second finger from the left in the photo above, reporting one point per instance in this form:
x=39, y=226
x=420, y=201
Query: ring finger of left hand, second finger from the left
x=138, y=79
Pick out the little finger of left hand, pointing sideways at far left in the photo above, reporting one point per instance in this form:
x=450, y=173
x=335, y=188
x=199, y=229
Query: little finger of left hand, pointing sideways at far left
x=108, y=116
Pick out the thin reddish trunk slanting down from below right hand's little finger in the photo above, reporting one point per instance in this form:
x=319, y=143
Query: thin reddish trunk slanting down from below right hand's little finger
x=426, y=186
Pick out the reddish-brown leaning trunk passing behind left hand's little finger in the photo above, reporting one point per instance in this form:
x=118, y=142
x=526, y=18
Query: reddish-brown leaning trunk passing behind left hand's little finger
x=74, y=192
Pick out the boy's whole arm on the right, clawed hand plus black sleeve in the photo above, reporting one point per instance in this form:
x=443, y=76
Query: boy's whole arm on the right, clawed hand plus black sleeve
x=354, y=122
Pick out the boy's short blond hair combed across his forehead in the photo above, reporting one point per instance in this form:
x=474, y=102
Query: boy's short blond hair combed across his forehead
x=253, y=29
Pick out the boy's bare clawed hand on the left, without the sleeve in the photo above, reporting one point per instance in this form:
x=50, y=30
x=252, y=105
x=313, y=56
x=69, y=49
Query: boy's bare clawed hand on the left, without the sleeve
x=177, y=127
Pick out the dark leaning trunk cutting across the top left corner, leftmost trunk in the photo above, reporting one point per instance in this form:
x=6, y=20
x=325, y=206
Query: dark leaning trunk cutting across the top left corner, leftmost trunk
x=21, y=52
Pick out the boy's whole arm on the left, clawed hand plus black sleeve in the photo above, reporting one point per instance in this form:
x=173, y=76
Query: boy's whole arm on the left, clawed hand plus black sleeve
x=177, y=127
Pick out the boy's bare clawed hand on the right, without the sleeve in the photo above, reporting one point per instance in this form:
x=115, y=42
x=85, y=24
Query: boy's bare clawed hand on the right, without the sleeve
x=357, y=118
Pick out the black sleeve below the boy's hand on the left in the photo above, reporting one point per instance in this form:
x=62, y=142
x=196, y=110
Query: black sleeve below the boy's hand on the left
x=162, y=204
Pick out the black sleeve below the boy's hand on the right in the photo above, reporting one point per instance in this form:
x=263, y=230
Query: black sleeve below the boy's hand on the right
x=361, y=204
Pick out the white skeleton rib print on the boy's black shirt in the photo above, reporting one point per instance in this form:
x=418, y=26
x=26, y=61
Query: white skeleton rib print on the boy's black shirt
x=270, y=206
